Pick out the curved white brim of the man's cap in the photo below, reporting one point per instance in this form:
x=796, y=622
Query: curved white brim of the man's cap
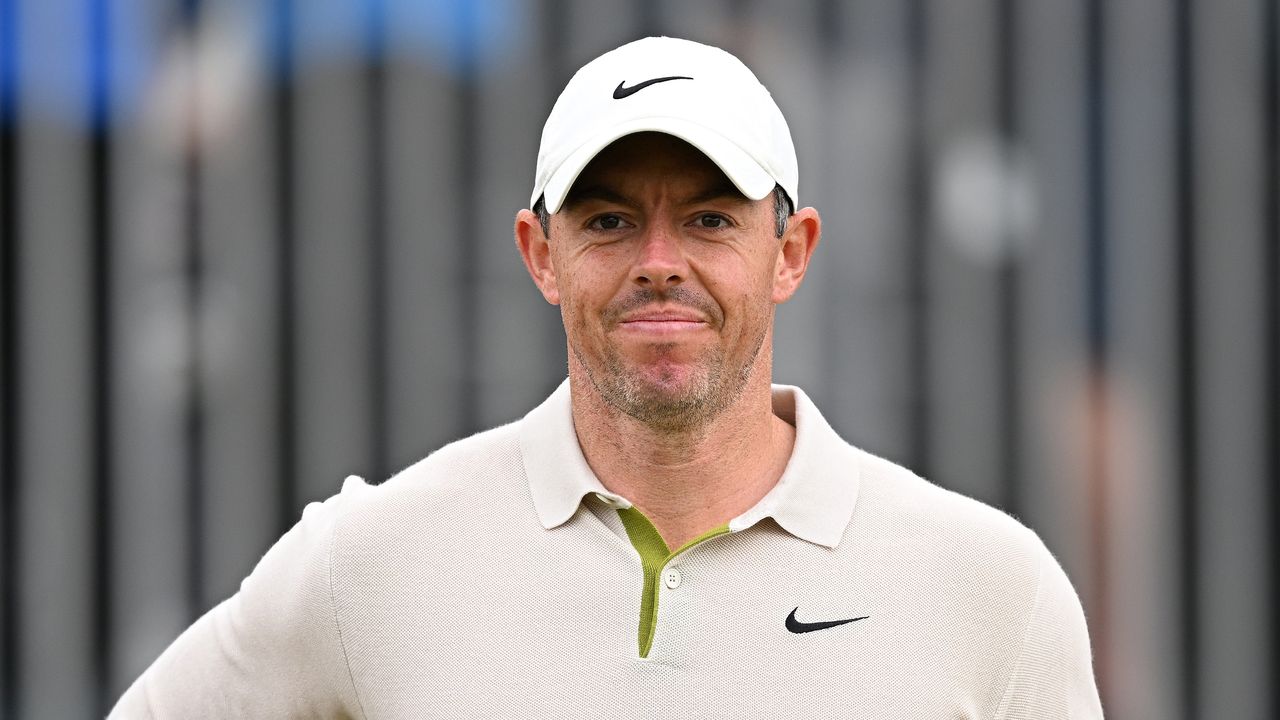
x=738, y=166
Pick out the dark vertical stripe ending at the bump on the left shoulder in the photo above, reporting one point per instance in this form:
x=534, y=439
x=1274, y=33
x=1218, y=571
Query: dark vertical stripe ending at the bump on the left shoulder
x=377, y=209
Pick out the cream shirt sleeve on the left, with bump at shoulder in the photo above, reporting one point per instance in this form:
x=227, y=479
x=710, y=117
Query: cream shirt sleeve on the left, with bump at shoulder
x=273, y=650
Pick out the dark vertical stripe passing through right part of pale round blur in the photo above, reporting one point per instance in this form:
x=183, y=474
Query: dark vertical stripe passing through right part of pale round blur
x=1009, y=272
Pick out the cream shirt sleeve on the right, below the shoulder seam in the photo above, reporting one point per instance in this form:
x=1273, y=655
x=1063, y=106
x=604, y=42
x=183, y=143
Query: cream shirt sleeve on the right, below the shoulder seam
x=1053, y=678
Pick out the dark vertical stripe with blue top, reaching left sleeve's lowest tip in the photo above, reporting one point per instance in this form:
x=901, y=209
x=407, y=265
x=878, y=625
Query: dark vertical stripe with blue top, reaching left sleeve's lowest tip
x=103, y=345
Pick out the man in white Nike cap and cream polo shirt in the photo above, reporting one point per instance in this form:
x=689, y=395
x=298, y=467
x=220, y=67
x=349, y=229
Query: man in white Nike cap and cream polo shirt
x=668, y=534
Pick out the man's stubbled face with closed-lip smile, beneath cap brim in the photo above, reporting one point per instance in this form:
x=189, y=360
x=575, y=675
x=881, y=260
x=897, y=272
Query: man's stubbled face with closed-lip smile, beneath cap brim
x=668, y=279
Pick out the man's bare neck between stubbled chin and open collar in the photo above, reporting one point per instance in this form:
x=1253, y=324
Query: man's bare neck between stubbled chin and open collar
x=692, y=481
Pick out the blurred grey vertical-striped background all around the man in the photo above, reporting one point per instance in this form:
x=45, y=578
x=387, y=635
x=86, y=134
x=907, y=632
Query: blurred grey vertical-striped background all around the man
x=252, y=247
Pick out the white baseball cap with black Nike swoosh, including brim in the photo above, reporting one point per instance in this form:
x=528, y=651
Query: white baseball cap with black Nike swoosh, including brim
x=697, y=93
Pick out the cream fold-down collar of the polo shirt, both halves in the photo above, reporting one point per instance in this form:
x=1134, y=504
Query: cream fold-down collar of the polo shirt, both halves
x=813, y=499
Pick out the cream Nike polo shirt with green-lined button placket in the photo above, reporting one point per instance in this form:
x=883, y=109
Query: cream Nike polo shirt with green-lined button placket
x=499, y=578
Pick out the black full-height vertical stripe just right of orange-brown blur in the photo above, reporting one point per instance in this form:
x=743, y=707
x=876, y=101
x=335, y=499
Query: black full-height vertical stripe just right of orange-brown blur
x=1185, y=350
